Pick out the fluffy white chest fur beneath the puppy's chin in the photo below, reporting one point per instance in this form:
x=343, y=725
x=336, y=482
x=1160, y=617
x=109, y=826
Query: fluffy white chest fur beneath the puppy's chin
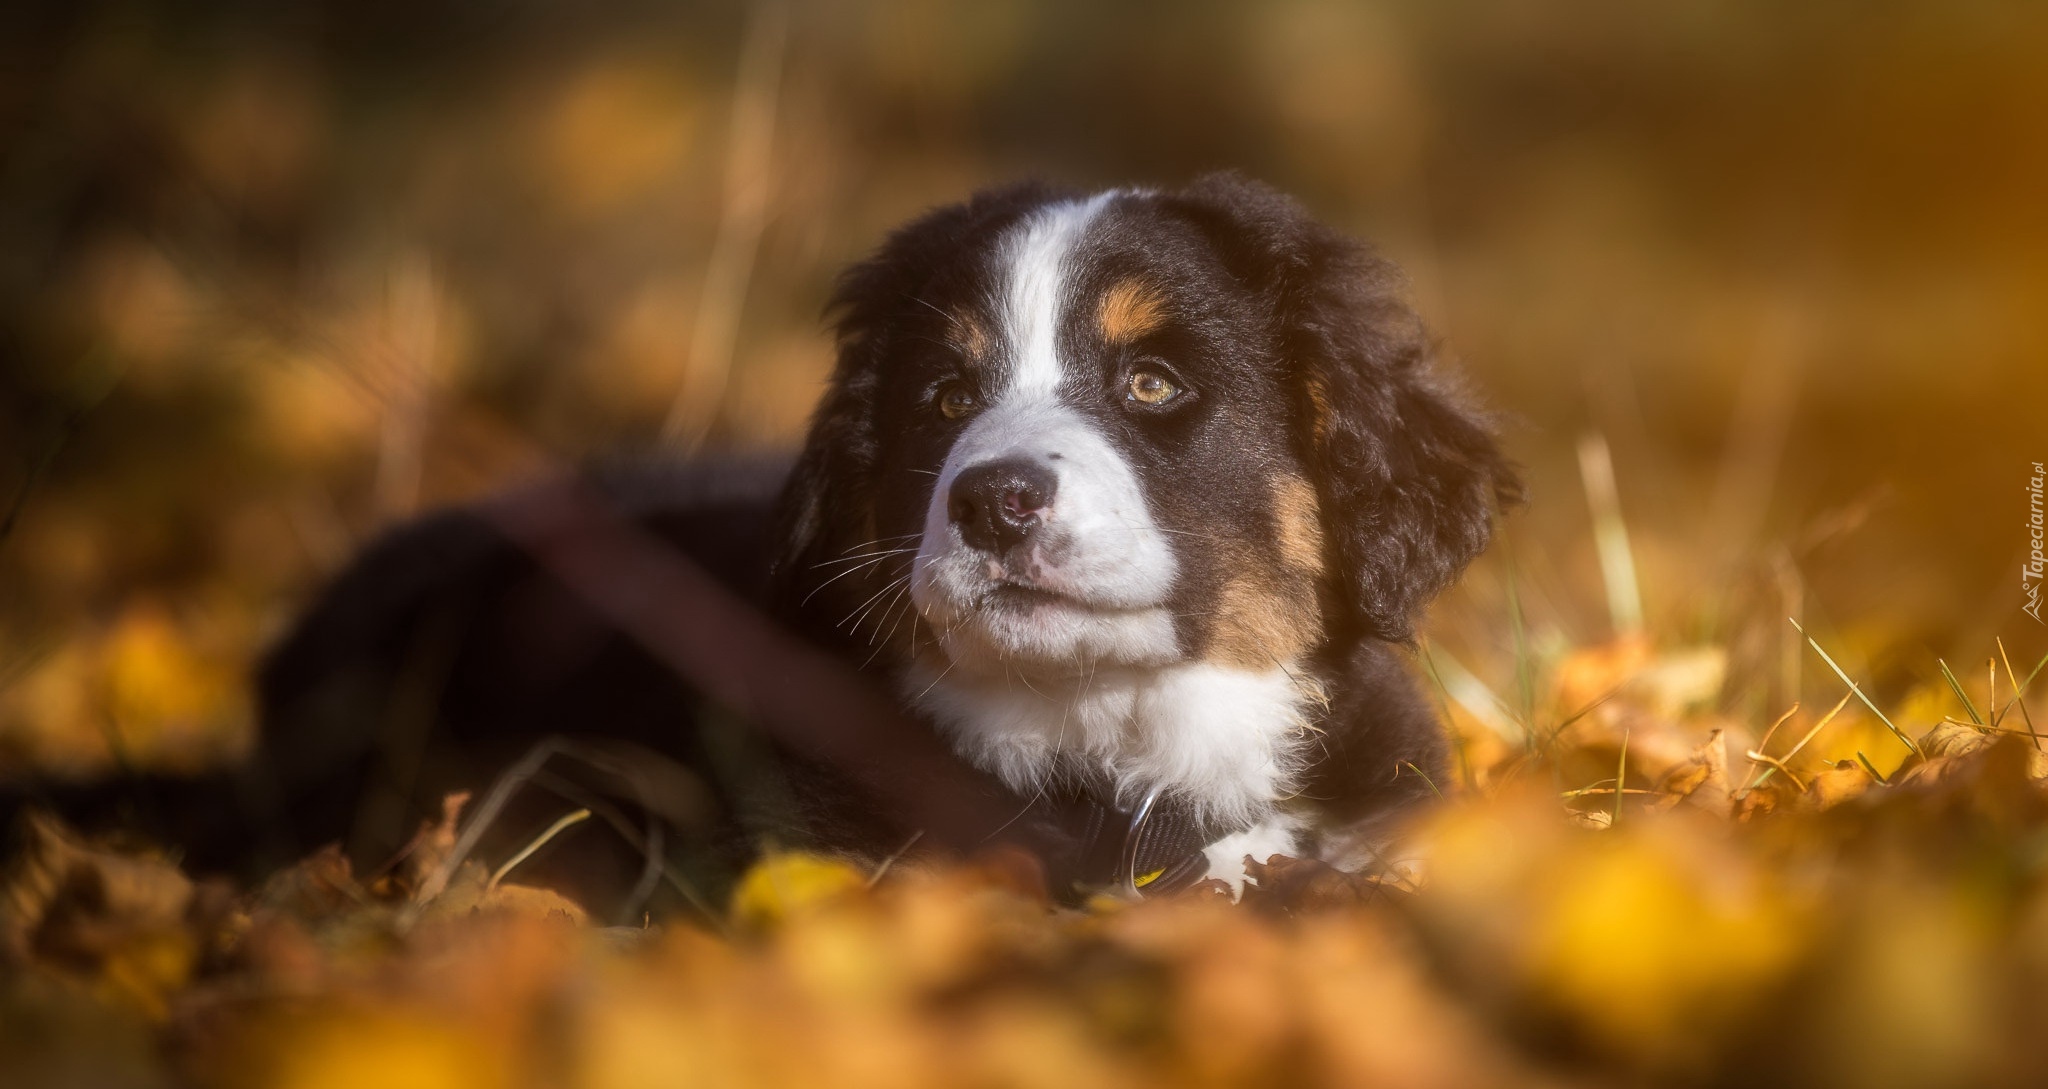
x=1228, y=740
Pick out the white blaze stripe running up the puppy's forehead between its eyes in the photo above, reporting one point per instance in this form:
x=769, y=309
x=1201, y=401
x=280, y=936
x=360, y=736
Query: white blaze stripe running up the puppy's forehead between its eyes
x=1037, y=257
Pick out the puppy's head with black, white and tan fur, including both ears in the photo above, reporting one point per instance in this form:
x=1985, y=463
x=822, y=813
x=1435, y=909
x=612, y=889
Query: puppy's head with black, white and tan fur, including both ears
x=1129, y=431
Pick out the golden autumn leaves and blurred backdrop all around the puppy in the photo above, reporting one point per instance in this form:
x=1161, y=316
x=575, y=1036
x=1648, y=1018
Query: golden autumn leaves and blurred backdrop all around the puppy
x=275, y=277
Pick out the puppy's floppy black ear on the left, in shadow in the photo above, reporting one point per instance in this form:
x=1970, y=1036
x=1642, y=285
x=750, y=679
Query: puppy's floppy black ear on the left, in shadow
x=830, y=496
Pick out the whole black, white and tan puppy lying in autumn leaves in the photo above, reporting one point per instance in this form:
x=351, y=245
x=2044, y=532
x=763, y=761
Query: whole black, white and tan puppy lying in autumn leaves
x=1125, y=500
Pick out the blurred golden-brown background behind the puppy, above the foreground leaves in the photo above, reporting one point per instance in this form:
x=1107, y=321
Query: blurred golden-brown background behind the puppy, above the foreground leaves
x=280, y=273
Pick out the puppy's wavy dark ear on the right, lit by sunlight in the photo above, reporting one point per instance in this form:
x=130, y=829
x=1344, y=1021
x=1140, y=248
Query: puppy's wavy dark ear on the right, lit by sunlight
x=1406, y=466
